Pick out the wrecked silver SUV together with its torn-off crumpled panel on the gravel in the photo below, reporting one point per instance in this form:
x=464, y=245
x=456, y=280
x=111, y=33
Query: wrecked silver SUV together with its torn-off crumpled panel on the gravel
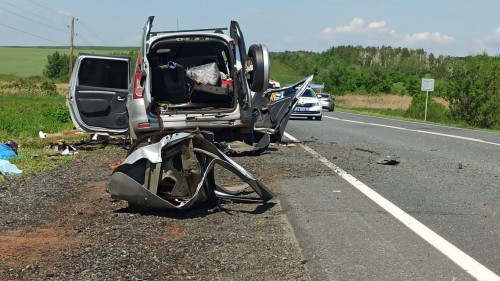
x=193, y=97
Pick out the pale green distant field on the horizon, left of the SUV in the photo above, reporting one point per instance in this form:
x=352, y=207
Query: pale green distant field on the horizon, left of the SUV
x=30, y=61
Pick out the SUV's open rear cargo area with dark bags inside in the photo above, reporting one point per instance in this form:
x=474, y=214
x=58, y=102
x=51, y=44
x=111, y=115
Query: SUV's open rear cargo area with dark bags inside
x=191, y=74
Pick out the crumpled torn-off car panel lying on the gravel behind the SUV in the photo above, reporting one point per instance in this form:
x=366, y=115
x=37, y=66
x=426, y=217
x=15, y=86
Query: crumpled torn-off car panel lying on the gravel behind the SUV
x=181, y=171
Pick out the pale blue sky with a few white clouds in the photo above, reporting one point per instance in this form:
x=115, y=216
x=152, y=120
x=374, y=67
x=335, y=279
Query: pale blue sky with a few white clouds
x=441, y=27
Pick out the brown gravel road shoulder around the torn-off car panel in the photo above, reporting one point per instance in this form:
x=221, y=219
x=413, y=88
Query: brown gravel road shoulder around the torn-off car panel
x=62, y=225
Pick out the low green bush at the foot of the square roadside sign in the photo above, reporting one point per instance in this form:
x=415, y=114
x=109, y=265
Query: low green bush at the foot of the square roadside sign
x=436, y=112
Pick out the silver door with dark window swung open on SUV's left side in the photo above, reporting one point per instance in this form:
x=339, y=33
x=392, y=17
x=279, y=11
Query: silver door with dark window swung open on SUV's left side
x=98, y=92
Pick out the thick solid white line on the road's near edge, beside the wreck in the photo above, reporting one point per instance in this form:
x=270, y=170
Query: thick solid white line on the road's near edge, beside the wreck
x=467, y=263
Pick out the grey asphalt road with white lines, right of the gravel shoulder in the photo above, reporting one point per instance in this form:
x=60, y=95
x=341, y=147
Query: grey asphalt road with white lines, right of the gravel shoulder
x=433, y=216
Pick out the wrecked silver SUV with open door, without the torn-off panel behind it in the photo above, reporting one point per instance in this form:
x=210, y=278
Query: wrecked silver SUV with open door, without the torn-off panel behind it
x=182, y=80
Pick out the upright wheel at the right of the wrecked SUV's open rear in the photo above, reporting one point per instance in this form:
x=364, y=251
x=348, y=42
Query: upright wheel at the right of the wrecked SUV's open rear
x=259, y=72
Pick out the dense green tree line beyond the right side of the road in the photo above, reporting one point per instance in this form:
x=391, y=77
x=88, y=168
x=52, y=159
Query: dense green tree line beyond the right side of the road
x=470, y=84
